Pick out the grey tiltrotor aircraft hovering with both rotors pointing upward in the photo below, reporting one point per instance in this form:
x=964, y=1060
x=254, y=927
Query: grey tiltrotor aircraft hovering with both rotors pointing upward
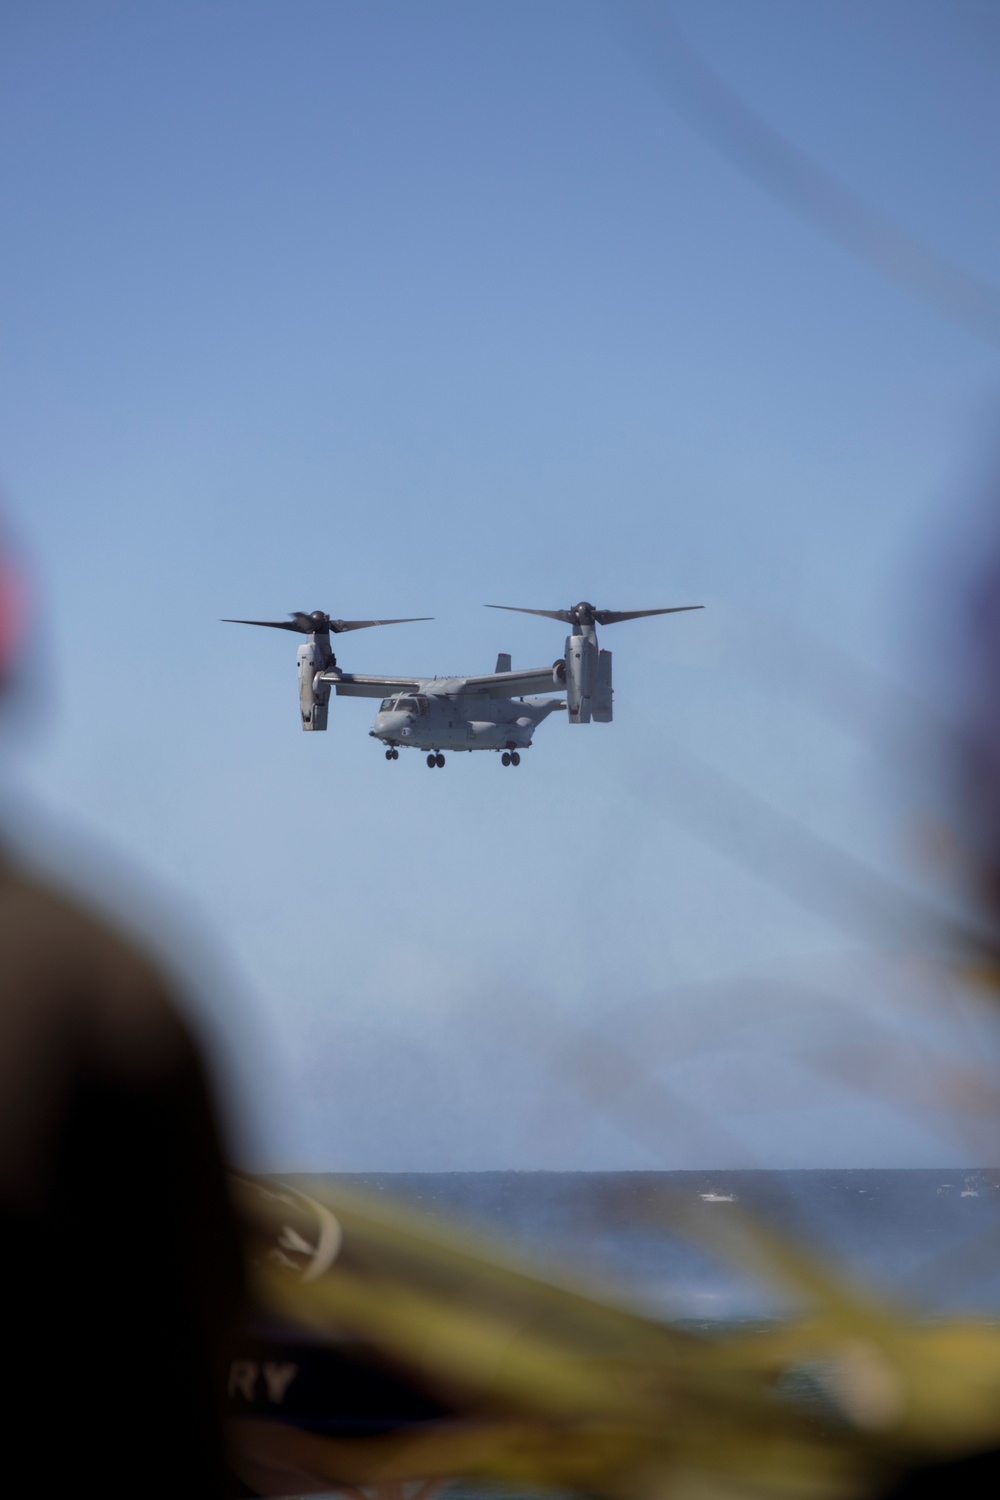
x=497, y=712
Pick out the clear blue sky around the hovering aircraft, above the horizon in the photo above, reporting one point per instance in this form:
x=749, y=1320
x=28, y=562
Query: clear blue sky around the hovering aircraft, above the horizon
x=404, y=310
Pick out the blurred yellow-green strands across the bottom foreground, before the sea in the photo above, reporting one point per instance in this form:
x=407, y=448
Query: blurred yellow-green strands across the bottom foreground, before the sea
x=539, y=1382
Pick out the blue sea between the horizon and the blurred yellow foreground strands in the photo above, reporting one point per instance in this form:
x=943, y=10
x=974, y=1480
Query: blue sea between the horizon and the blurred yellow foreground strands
x=927, y=1237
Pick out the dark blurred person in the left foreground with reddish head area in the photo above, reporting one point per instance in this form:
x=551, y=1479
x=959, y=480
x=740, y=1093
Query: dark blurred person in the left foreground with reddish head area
x=121, y=1262
